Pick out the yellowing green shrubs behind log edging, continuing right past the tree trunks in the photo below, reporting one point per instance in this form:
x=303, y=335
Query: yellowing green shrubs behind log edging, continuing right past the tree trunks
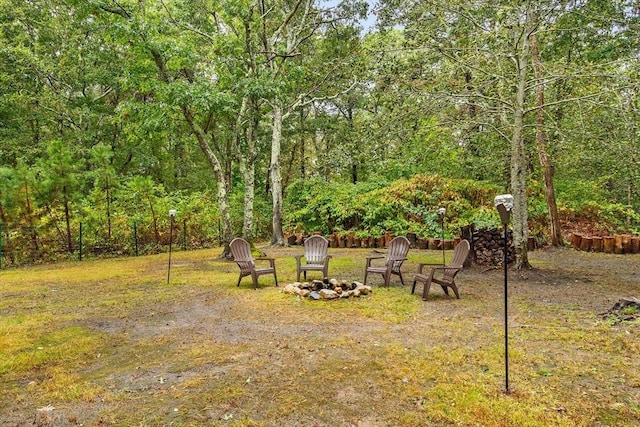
x=411, y=206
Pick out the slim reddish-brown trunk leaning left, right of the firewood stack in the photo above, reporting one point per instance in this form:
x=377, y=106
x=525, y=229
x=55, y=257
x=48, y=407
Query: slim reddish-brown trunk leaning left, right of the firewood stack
x=541, y=144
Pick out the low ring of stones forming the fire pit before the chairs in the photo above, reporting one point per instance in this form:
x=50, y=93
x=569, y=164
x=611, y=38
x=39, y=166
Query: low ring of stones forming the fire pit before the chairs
x=327, y=289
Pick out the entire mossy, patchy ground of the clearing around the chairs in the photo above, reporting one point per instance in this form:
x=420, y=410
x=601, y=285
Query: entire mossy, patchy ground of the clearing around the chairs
x=109, y=342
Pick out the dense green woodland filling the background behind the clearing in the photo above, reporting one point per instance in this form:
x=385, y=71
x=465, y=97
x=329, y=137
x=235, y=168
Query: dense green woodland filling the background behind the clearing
x=257, y=118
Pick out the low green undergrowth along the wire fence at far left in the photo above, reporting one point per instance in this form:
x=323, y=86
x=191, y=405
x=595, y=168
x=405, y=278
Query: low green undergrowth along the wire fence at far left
x=33, y=226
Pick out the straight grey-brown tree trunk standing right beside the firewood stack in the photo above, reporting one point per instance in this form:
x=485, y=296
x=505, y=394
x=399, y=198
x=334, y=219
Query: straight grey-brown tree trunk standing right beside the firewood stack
x=518, y=155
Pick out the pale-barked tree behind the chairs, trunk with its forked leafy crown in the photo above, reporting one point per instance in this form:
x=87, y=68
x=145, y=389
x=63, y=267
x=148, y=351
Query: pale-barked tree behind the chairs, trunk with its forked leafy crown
x=288, y=30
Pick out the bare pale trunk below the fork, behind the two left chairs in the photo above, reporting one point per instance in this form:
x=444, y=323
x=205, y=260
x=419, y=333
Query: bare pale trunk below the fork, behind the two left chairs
x=276, y=176
